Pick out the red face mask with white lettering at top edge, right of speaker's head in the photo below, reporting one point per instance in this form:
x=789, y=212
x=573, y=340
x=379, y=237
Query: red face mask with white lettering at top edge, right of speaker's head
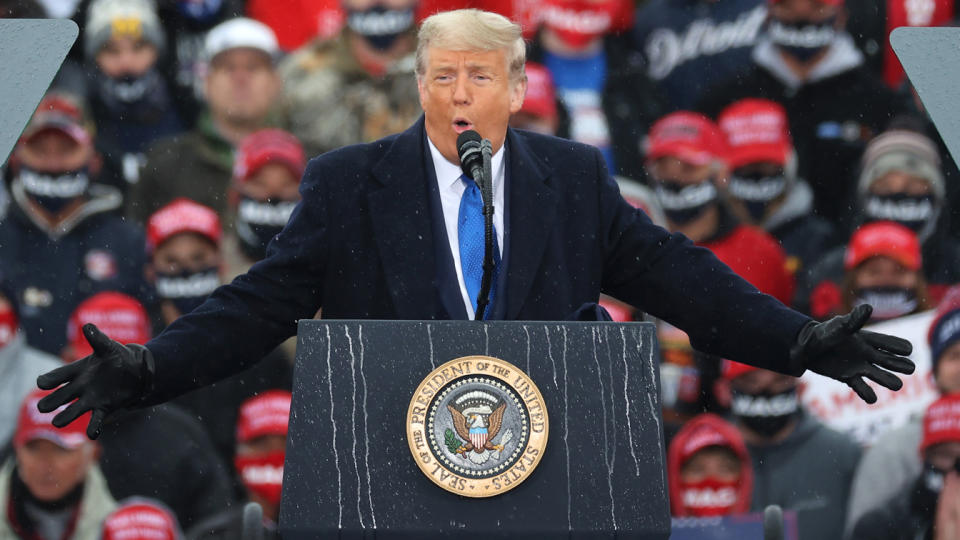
x=578, y=22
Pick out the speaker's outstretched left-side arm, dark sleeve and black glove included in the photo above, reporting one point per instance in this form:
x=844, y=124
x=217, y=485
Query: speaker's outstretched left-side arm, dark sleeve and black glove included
x=237, y=326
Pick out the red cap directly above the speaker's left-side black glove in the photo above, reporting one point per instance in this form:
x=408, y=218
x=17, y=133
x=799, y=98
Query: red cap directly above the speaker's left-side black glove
x=120, y=317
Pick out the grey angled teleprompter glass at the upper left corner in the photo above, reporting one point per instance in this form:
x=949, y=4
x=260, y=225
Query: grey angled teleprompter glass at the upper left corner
x=31, y=51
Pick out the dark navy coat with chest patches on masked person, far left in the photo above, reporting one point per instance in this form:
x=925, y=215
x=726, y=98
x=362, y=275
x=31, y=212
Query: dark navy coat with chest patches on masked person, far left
x=52, y=270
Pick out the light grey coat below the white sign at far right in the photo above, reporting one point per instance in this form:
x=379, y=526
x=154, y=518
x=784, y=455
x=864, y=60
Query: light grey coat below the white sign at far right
x=887, y=468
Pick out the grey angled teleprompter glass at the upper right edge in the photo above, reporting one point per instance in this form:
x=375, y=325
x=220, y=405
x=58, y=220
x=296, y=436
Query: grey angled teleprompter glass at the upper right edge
x=931, y=58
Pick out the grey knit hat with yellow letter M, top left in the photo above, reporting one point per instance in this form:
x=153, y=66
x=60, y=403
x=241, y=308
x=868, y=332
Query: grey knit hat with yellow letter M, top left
x=109, y=18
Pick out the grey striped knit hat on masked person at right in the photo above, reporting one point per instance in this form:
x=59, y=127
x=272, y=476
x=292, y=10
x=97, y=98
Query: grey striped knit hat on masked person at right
x=902, y=150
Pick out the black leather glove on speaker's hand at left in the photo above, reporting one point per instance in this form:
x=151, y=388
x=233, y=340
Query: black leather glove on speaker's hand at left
x=113, y=377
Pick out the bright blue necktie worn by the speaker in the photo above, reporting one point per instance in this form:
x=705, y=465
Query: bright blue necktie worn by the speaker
x=470, y=236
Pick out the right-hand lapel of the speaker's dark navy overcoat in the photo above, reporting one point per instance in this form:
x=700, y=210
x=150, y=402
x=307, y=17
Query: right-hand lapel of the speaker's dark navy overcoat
x=533, y=209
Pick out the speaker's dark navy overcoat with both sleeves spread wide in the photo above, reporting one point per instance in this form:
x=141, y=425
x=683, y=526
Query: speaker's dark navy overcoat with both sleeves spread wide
x=361, y=246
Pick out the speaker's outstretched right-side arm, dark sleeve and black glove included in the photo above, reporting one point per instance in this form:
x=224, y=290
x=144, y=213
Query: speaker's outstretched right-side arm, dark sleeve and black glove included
x=668, y=276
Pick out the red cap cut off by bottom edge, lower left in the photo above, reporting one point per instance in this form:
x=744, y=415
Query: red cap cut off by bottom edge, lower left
x=141, y=519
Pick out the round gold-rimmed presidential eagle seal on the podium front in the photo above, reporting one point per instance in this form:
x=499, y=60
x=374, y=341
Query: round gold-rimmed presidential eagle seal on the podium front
x=477, y=426
